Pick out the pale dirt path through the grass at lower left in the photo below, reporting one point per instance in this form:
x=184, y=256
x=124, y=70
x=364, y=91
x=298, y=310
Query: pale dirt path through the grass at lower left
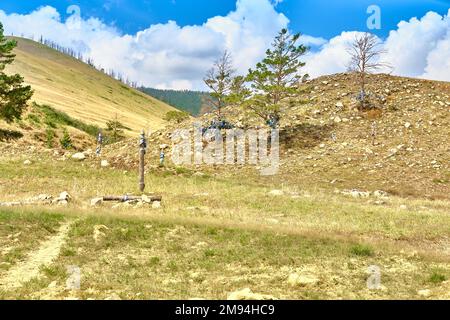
x=44, y=255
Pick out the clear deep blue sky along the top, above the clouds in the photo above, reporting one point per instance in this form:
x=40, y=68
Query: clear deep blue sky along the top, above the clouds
x=320, y=18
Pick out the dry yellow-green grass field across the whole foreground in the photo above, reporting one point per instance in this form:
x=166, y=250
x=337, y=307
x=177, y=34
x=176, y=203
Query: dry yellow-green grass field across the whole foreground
x=216, y=235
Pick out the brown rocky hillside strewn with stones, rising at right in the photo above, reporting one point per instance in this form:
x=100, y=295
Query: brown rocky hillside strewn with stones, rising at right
x=327, y=143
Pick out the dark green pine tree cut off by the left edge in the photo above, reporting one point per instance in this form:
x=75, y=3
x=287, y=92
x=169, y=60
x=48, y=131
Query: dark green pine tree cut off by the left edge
x=13, y=95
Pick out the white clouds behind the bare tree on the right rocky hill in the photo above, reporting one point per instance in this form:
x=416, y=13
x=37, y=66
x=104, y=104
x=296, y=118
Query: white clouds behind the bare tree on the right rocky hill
x=418, y=48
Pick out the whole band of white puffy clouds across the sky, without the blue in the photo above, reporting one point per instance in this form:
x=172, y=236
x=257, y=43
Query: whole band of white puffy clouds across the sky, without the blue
x=171, y=56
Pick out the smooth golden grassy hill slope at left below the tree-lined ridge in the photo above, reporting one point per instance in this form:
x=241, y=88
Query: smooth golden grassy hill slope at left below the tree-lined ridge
x=83, y=92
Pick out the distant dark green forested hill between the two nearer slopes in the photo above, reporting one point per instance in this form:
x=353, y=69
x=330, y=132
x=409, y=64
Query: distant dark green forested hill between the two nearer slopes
x=190, y=101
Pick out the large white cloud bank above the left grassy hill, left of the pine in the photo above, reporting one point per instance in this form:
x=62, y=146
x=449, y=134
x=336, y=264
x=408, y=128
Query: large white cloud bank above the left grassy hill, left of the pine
x=163, y=55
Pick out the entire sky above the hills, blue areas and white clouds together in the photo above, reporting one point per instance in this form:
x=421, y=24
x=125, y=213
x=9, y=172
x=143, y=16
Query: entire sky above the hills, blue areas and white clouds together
x=136, y=38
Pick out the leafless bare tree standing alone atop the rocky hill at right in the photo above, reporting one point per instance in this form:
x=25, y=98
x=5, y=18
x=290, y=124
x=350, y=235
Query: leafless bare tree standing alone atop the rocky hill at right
x=365, y=52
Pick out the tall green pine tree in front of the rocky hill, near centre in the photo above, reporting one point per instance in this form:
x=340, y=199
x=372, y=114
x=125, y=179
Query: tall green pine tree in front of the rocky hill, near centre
x=277, y=76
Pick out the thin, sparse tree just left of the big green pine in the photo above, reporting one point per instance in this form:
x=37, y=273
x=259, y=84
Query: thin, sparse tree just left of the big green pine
x=219, y=80
